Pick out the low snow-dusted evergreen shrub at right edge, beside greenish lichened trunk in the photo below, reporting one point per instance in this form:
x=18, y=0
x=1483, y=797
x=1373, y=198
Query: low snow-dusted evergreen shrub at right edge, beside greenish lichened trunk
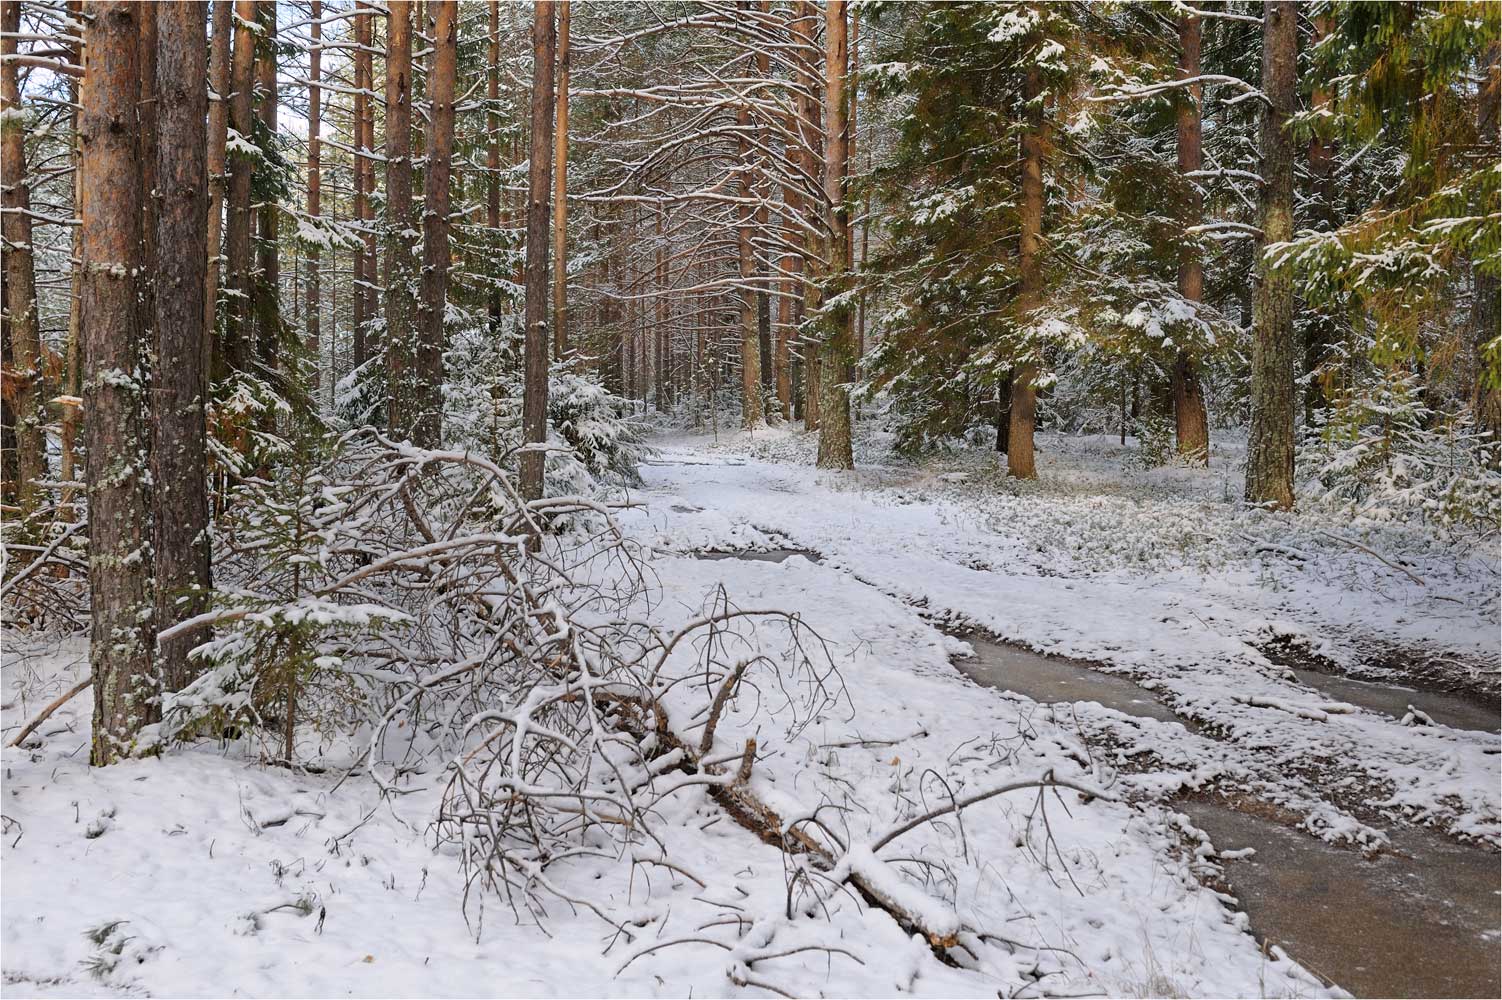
x=1383, y=456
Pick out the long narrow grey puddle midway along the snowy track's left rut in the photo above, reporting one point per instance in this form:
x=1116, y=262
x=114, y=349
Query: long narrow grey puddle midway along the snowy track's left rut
x=1051, y=679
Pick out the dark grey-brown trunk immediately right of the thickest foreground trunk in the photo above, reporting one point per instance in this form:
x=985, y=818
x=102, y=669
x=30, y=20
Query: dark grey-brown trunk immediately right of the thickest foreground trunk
x=181, y=388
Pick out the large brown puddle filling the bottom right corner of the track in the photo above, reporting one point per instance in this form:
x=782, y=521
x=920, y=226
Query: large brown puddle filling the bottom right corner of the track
x=1423, y=923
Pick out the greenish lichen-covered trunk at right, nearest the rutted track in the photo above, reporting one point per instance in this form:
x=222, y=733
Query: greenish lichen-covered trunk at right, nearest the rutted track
x=1270, y=445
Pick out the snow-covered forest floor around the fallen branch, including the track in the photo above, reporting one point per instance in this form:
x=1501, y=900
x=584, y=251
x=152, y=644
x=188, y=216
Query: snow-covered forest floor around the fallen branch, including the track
x=202, y=873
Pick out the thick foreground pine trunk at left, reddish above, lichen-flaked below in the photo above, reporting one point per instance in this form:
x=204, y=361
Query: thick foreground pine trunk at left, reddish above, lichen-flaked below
x=115, y=397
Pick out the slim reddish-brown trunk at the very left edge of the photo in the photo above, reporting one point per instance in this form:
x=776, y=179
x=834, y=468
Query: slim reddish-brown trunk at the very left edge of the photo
x=25, y=364
